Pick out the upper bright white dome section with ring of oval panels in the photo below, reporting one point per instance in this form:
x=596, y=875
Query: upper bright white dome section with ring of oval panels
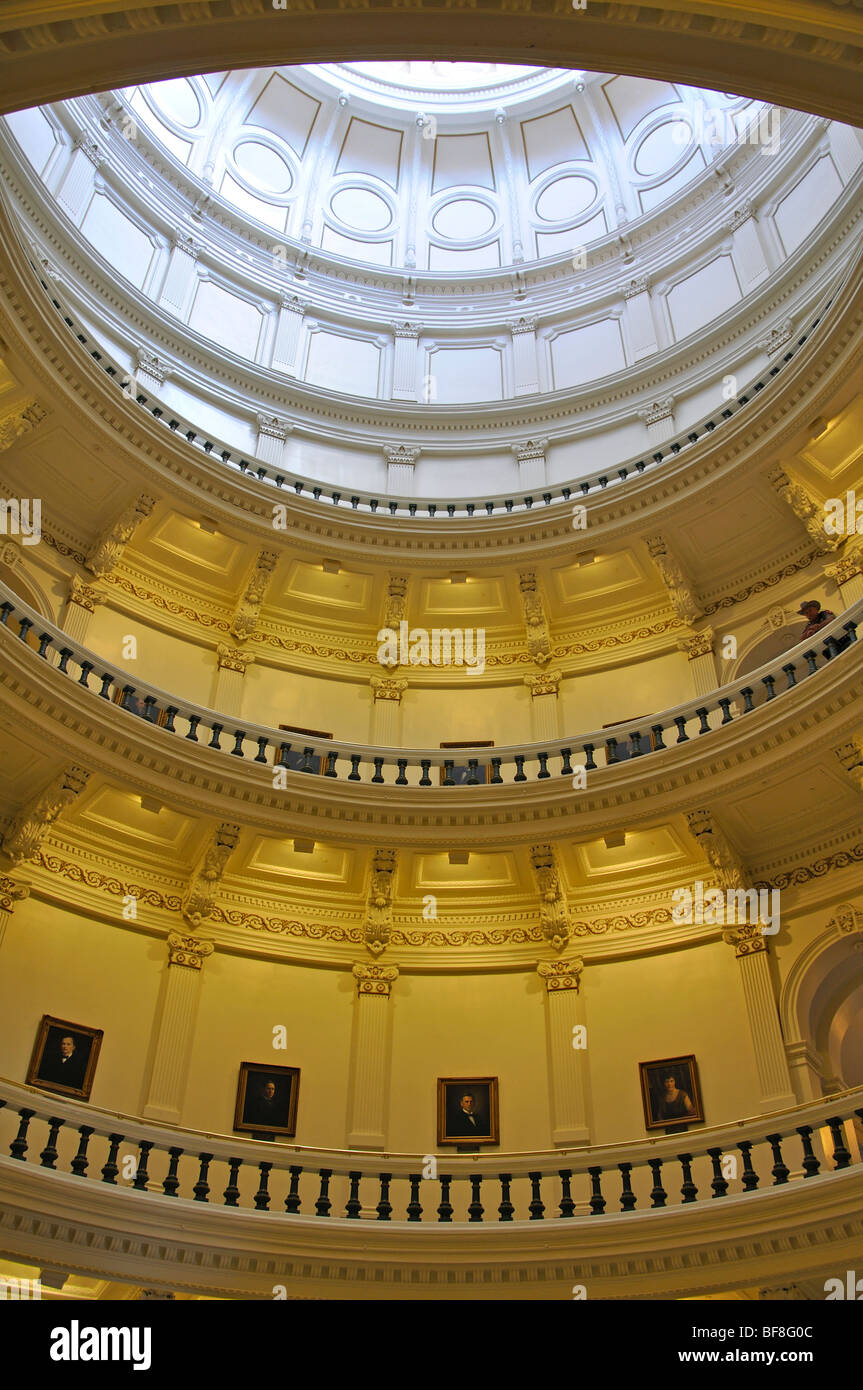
x=440, y=167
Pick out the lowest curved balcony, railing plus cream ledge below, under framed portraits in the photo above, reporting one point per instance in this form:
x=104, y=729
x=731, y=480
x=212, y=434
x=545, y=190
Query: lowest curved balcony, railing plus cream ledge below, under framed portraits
x=719, y=1234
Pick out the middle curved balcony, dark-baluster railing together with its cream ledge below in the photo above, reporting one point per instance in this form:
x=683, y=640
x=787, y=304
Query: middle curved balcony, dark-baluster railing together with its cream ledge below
x=718, y=737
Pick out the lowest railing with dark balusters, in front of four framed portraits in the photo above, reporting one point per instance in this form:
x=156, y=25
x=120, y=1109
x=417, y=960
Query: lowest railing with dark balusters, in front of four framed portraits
x=700, y=1166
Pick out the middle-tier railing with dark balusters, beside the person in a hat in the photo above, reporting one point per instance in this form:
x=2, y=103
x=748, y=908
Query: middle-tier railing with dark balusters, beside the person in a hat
x=366, y=764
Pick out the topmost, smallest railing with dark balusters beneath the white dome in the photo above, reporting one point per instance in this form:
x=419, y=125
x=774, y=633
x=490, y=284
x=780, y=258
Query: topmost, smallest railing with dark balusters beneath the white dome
x=359, y=501
